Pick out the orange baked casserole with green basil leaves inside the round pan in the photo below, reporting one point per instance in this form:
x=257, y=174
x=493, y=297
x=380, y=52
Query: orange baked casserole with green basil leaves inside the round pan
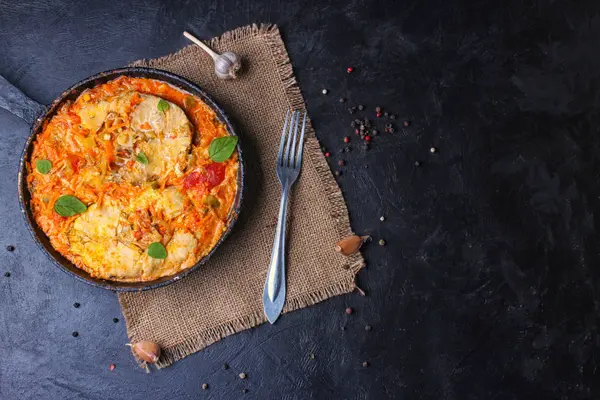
x=134, y=180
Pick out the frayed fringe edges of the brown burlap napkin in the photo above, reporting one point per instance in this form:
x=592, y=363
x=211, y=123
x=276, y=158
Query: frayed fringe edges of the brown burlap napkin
x=337, y=209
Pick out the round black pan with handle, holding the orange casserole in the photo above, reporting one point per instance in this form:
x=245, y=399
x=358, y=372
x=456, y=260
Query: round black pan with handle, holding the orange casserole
x=19, y=104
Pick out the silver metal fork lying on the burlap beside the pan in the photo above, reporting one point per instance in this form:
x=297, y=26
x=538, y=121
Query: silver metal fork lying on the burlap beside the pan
x=289, y=162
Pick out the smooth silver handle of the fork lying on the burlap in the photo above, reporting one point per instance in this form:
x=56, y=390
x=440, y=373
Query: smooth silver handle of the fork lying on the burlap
x=274, y=293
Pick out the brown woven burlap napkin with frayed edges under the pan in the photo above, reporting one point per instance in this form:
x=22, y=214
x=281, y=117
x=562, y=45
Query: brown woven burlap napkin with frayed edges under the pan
x=225, y=295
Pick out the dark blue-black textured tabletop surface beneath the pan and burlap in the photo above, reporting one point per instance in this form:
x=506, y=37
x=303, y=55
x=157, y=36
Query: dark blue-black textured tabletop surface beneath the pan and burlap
x=488, y=285
